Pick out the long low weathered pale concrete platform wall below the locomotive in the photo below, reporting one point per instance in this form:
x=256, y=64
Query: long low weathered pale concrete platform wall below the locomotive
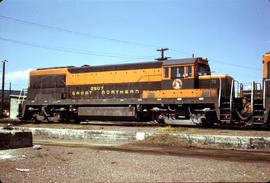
x=261, y=143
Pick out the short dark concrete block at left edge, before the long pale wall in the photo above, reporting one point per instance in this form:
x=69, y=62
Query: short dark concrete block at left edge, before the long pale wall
x=15, y=138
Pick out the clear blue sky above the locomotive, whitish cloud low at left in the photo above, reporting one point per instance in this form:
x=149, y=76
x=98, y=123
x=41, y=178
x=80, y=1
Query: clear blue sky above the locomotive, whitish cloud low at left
x=232, y=34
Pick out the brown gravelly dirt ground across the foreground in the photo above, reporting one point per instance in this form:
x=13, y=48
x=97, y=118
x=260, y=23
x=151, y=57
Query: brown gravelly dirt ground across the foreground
x=132, y=163
